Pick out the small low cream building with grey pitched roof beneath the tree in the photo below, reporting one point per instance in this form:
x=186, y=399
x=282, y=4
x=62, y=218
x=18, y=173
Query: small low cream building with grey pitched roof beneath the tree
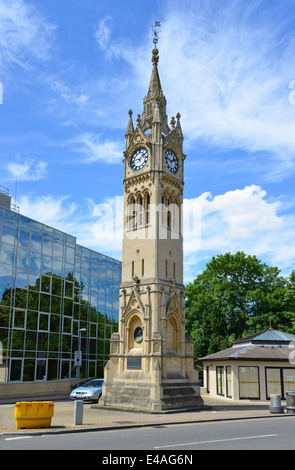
x=254, y=368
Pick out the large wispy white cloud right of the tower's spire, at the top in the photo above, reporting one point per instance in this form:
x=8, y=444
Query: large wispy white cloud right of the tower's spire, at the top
x=226, y=68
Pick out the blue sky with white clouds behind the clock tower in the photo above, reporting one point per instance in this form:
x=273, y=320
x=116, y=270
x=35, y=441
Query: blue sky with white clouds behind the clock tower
x=69, y=72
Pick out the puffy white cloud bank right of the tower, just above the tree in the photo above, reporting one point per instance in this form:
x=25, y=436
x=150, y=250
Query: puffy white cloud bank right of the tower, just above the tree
x=241, y=220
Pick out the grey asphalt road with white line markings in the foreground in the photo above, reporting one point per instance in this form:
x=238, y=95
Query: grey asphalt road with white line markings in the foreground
x=275, y=433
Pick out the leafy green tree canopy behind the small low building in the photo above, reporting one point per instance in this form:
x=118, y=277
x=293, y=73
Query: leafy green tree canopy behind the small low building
x=236, y=296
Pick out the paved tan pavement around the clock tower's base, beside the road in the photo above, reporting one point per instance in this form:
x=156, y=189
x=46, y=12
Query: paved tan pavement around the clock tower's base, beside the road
x=98, y=419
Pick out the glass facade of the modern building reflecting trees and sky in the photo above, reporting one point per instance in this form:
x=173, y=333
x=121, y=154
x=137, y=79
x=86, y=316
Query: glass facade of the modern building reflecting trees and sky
x=50, y=288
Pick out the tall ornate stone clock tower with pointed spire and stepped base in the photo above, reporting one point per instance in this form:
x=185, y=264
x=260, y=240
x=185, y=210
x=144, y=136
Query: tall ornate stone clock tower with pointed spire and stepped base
x=151, y=366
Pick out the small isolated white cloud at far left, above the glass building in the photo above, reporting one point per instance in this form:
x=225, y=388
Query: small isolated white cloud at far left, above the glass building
x=27, y=170
